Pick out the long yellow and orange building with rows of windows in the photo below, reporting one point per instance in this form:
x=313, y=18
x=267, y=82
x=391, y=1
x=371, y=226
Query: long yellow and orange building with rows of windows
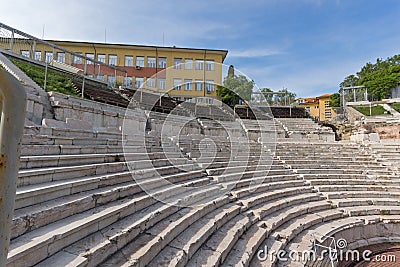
x=183, y=72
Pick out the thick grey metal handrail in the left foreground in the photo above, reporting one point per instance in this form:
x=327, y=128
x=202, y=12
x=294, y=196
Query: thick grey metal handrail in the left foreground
x=13, y=109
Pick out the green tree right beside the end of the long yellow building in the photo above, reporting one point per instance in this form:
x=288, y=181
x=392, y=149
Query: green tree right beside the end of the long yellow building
x=235, y=88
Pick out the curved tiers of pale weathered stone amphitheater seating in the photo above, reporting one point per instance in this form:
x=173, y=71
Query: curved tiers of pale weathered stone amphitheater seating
x=83, y=195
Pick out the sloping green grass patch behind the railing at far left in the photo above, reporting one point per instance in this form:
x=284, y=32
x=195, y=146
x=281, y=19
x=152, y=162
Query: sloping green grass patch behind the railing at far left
x=56, y=81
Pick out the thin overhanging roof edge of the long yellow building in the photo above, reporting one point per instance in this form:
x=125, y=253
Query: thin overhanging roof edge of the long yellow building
x=146, y=47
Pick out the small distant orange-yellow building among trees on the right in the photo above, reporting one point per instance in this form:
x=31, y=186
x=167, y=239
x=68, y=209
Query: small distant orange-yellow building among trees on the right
x=318, y=107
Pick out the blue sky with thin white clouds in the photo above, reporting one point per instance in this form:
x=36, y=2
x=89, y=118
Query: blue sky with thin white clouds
x=307, y=46
